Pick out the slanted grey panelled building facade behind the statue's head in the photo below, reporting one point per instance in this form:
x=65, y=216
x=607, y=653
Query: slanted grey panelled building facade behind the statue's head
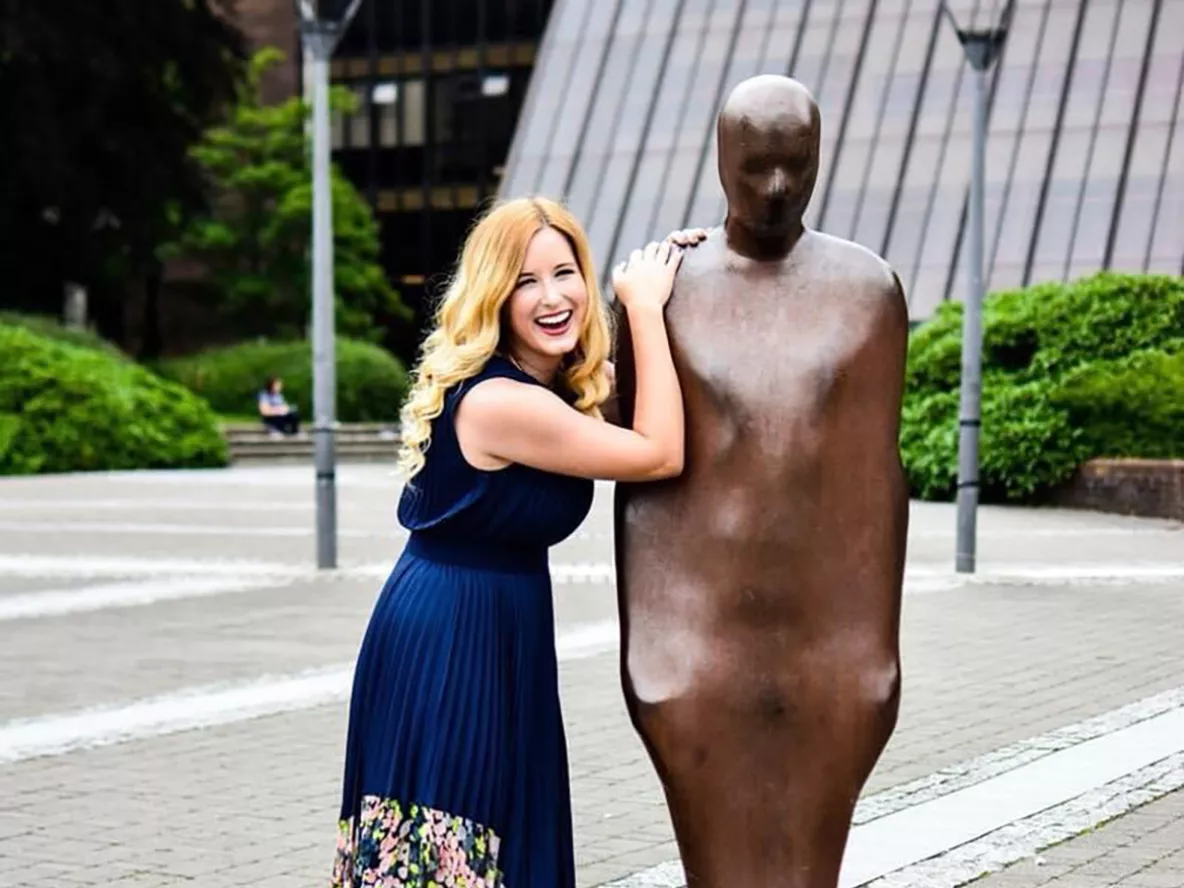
x=1085, y=158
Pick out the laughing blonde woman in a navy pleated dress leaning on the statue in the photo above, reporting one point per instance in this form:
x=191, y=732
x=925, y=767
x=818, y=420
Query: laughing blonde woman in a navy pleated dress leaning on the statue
x=456, y=770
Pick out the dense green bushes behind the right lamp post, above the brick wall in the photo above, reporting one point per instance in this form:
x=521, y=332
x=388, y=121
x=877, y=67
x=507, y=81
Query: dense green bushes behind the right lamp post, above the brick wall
x=1071, y=372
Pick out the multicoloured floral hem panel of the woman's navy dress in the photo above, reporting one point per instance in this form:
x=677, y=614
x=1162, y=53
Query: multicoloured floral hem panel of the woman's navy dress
x=408, y=846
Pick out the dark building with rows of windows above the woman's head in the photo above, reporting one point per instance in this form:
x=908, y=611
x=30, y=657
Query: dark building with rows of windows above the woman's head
x=439, y=87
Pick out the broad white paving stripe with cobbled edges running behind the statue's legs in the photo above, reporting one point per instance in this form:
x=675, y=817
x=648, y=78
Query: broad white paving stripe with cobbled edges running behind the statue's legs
x=994, y=810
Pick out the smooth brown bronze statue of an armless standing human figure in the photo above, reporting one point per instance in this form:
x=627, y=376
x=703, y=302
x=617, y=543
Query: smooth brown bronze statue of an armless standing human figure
x=761, y=591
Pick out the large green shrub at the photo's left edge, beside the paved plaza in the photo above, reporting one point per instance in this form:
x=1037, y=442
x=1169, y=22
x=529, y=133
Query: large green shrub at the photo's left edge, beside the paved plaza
x=65, y=408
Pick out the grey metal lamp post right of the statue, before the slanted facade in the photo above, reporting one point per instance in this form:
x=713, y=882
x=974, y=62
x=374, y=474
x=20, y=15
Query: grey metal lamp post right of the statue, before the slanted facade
x=982, y=47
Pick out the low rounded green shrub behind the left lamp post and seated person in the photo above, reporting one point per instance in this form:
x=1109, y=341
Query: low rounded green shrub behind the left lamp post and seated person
x=372, y=383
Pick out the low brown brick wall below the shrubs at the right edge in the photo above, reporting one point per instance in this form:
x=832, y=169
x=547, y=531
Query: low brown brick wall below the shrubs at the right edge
x=1151, y=488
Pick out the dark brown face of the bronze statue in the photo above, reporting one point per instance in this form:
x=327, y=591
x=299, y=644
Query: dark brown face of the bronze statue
x=769, y=172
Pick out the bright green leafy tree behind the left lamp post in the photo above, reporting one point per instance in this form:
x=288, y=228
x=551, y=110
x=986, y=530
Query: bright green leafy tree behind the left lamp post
x=256, y=240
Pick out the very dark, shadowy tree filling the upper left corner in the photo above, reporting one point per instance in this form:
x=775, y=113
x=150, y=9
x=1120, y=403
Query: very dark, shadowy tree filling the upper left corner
x=100, y=105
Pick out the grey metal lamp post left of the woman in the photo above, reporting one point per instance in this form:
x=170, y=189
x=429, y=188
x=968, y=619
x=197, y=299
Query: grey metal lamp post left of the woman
x=320, y=35
